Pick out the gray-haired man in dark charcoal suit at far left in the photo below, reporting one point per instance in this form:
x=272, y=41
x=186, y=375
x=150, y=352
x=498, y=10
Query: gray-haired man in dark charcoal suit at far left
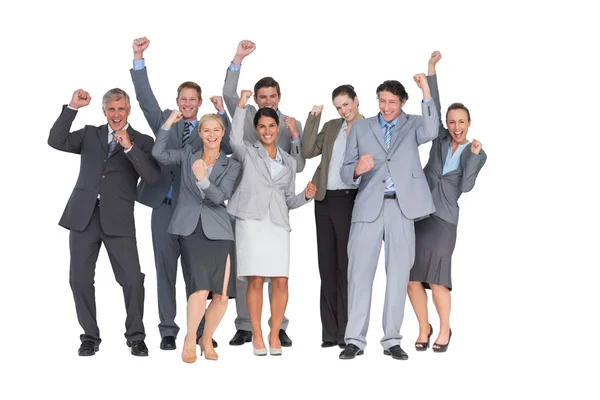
x=100, y=210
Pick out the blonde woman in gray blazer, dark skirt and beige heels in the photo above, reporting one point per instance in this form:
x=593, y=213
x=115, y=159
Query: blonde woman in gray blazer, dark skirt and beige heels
x=203, y=225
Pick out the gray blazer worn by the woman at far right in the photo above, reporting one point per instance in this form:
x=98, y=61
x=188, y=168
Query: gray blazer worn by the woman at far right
x=446, y=189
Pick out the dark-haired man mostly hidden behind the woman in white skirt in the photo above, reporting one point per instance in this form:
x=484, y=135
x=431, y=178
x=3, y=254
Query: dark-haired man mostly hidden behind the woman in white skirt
x=266, y=94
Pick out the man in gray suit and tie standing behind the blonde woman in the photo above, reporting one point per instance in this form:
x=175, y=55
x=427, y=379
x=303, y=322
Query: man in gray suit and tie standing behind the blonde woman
x=162, y=196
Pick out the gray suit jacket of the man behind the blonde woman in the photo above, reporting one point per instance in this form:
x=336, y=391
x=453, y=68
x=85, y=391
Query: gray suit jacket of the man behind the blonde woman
x=153, y=194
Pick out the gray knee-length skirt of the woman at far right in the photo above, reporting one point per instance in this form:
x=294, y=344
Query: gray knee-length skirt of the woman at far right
x=434, y=245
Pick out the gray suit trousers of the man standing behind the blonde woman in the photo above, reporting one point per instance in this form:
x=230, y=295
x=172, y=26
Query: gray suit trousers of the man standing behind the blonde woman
x=166, y=254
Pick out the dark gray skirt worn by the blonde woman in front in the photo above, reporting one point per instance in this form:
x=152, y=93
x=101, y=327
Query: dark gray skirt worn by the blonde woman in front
x=206, y=260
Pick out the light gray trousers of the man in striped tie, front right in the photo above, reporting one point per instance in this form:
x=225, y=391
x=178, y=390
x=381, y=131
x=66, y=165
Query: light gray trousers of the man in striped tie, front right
x=364, y=247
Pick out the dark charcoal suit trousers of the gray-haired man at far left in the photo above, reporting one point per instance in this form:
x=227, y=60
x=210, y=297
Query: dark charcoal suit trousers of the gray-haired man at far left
x=123, y=255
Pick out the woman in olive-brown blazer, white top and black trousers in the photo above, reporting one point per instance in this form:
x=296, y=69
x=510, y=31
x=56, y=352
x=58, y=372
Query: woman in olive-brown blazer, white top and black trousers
x=334, y=202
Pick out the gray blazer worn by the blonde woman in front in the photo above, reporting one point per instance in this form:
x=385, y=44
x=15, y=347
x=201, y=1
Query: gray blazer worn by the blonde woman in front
x=194, y=203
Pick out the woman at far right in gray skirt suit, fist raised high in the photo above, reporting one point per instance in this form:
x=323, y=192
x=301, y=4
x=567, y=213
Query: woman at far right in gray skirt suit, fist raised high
x=452, y=169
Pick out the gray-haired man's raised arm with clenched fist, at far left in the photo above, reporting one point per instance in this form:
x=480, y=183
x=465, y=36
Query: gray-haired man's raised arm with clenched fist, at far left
x=60, y=138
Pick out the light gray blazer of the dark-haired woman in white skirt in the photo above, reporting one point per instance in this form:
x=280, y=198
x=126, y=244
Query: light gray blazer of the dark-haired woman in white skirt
x=257, y=191
